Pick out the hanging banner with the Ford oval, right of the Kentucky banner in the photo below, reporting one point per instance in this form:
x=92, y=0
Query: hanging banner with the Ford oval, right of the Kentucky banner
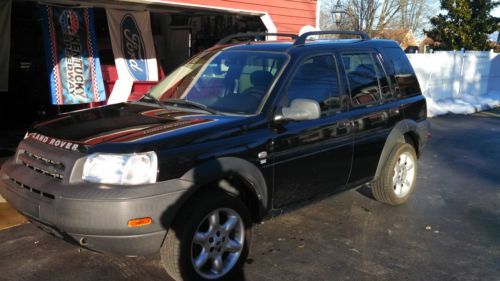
x=133, y=48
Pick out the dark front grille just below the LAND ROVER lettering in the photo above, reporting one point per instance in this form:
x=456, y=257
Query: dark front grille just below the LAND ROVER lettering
x=42, y=165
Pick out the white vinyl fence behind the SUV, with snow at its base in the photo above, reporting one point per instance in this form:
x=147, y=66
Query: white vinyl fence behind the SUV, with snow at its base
x=458, y=82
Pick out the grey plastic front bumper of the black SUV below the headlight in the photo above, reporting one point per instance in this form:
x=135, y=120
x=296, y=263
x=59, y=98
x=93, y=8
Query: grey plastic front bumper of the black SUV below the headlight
x=92, y=215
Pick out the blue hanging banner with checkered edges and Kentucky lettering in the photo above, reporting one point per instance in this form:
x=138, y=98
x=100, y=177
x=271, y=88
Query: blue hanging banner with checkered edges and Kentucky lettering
x=72, y=55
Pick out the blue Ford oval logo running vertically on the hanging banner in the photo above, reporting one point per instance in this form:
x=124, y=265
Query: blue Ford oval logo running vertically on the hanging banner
x=133, y=48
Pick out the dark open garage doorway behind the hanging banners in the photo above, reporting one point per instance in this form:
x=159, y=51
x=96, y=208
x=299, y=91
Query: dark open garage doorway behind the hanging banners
x=178, y=34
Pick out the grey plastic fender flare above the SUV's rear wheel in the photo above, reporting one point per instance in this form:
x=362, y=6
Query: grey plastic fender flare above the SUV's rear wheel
x=401, y=128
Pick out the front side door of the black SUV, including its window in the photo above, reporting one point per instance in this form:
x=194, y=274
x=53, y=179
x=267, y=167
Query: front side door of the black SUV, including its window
x=313, y=157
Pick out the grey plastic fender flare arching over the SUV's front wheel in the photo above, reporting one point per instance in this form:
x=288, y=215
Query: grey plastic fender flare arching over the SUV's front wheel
x=218, y=168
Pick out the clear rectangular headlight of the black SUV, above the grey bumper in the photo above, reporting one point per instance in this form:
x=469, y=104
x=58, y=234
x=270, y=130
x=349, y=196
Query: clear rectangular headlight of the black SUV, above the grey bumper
x=127, y=169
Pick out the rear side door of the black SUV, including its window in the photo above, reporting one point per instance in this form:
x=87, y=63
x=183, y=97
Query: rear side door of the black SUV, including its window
x=371, y=98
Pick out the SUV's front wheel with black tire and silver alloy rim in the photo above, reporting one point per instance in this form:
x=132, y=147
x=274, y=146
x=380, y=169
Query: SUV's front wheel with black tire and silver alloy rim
x=202, y=245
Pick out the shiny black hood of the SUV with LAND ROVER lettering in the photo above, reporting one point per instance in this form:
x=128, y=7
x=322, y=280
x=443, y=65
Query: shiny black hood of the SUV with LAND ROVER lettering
x=125, y=122
